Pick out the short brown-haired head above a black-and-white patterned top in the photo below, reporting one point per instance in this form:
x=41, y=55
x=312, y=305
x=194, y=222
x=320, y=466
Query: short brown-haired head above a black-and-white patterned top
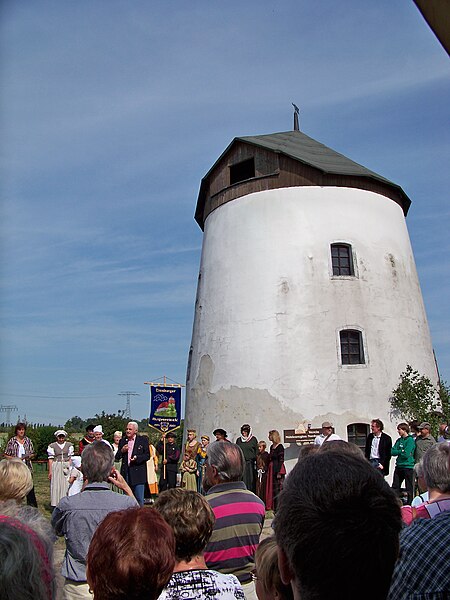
x=191, y=518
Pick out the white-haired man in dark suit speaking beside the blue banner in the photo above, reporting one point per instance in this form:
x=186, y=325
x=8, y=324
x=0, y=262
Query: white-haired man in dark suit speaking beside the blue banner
x=134, y=452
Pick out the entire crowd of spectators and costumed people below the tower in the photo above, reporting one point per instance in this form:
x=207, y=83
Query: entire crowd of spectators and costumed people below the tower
x=339, y=528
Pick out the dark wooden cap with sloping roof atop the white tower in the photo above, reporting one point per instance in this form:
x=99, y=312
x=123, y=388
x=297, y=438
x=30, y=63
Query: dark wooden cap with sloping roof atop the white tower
x=279, y=160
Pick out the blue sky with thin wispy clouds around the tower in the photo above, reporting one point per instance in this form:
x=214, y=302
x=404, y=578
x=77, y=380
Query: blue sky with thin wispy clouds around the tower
x=112, y=112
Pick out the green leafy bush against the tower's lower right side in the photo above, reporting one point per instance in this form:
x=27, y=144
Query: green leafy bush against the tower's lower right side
x=416, y=397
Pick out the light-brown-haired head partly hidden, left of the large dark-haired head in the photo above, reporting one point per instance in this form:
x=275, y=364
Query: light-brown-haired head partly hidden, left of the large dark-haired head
x=268, y=572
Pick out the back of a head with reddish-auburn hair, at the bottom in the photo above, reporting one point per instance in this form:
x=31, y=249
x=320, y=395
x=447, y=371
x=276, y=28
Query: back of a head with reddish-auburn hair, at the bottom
x=131, y=555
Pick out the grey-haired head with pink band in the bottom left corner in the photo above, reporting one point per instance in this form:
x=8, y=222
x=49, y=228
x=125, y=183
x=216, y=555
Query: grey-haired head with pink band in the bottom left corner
x=26, y=554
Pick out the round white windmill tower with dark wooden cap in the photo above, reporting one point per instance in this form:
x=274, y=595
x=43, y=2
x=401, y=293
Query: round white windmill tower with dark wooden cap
x=308, y=305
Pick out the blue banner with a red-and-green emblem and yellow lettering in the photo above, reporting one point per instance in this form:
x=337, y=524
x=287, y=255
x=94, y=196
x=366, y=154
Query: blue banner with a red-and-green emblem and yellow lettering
x=165, y=407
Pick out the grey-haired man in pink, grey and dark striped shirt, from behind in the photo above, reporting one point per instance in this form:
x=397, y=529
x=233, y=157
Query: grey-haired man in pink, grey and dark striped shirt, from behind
x=239, y=515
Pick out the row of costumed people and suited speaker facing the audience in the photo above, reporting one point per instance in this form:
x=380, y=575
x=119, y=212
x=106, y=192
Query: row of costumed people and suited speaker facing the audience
x=150, y=469
